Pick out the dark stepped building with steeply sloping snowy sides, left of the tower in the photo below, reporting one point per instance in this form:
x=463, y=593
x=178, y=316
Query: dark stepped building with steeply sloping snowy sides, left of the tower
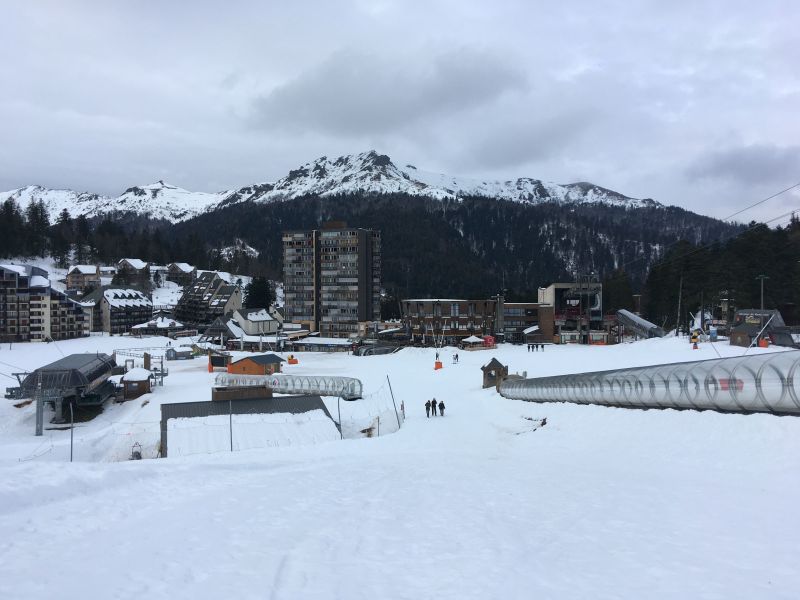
x=207, y=298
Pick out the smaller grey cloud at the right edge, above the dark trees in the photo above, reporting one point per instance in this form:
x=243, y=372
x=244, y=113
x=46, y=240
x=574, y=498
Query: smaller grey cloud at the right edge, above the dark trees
x=754, y=164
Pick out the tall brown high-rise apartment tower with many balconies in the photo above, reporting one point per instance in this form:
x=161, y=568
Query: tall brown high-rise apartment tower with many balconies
x=332, y=278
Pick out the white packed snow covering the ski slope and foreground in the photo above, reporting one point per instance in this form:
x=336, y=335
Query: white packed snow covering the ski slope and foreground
x=485, y=502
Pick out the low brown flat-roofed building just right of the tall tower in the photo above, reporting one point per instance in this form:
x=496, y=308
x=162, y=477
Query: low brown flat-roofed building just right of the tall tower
x=448, y=321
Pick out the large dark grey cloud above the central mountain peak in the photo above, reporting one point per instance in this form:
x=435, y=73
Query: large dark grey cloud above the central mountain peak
x=353, y=93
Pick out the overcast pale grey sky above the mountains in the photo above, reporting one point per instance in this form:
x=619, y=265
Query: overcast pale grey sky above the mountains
x=690, y=103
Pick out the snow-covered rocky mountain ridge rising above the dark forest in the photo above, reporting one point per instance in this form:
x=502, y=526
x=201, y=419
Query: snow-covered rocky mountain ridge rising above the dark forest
x=365, y=173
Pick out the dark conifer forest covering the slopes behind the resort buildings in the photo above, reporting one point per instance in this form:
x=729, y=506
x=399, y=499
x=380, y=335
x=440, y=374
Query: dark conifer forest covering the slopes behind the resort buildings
x=473, y=247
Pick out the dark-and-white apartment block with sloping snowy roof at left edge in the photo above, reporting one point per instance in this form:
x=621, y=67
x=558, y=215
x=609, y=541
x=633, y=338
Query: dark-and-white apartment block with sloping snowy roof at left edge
x=31, y=310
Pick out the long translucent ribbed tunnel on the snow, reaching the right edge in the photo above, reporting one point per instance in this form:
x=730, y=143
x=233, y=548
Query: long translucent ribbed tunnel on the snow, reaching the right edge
x=767, y=383
